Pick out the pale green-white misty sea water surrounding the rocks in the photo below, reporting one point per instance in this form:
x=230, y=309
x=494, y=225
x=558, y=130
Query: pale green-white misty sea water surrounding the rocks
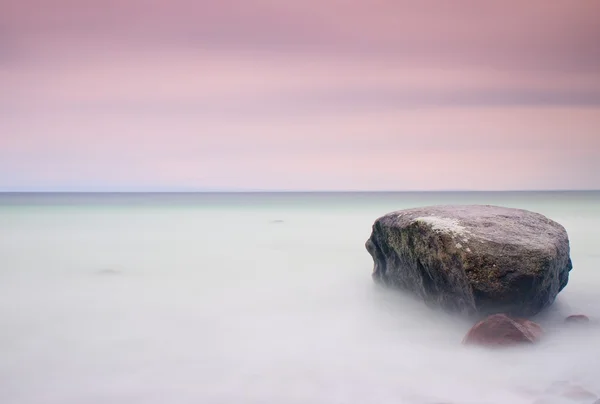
x=258, y=298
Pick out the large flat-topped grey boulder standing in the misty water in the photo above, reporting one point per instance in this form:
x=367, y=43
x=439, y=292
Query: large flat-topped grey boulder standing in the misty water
x=475, y=259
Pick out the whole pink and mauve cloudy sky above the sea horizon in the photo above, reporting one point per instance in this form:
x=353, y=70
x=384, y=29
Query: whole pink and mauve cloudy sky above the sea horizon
x=133, y=95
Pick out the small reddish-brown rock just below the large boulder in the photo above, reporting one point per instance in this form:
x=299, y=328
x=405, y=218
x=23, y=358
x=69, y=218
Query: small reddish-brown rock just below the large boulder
x=501, y=330
